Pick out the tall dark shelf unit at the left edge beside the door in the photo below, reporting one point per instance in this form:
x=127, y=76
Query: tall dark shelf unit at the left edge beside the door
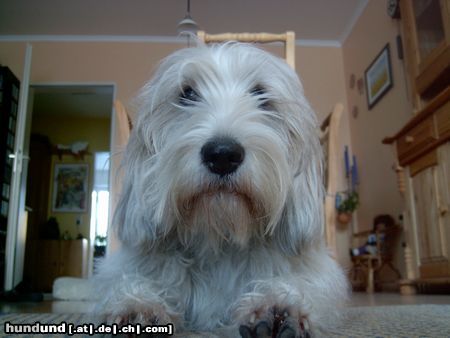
x=9, y=103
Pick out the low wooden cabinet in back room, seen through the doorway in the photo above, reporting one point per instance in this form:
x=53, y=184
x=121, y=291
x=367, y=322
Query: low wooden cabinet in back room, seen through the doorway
x=58, y=258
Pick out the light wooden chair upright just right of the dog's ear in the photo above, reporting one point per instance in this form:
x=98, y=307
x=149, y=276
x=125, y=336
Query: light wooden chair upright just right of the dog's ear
x=330, y=144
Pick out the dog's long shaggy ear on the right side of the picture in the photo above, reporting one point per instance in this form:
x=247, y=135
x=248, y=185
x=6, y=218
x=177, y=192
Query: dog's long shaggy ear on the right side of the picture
x=301, y=223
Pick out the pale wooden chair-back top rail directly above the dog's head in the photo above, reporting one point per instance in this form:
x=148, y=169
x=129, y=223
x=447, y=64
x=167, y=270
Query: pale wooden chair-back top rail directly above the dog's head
x=287, y=38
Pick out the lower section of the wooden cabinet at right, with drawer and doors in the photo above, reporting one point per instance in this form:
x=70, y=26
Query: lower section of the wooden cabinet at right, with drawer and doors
x=423, y=151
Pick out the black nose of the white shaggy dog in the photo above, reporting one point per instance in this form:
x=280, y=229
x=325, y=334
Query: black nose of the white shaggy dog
x=222, y=156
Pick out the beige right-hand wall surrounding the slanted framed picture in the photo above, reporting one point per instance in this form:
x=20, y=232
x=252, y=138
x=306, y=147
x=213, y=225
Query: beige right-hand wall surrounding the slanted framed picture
x=378, y=185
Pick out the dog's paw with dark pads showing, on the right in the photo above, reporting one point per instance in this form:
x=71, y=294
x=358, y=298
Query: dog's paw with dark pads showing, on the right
x=275, y=324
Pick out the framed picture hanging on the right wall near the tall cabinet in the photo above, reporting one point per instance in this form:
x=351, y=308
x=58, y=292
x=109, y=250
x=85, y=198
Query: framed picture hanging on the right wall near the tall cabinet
x=378, y=77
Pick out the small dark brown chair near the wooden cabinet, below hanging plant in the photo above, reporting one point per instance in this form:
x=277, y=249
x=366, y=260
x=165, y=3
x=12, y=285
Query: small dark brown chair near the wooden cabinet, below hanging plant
x=366, y=267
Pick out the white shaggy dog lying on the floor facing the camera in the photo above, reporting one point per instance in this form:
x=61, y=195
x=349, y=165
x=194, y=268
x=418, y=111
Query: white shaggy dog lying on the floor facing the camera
x=220, y=216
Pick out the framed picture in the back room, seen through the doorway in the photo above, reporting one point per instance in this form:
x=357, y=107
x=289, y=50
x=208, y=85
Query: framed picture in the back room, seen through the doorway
x=70, y=186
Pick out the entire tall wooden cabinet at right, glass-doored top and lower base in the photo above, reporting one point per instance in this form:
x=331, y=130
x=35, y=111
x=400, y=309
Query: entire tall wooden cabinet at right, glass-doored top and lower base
x=423, y=144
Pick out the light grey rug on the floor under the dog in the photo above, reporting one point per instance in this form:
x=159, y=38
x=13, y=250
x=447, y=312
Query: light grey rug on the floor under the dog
x=380, y=321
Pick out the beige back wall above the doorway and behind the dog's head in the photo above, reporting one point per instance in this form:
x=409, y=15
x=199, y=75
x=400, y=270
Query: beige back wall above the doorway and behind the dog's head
x=130, y=65
